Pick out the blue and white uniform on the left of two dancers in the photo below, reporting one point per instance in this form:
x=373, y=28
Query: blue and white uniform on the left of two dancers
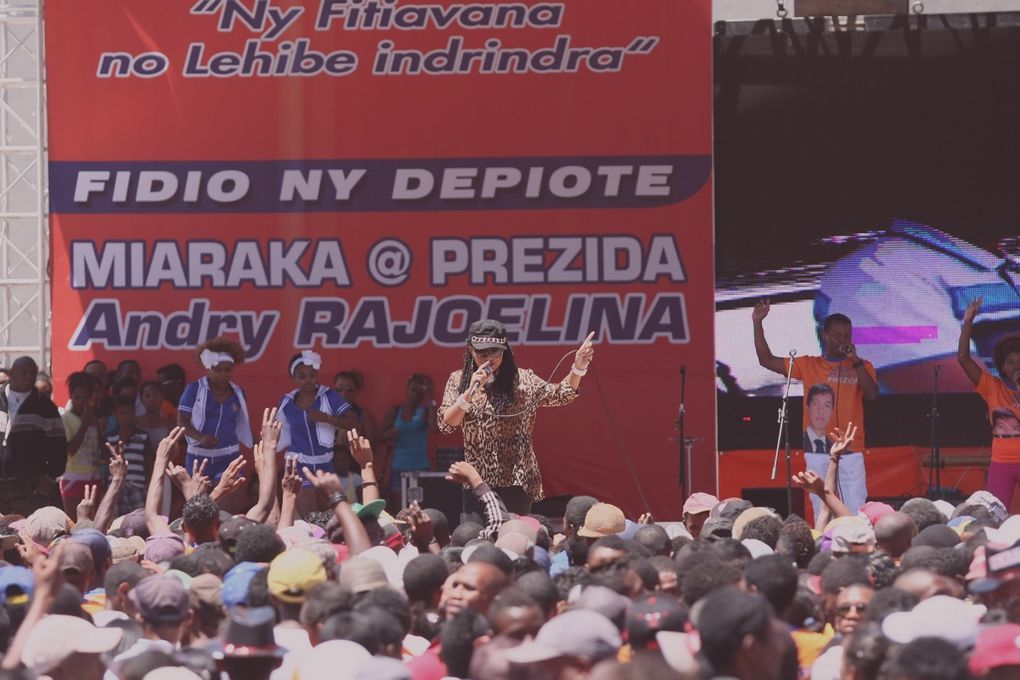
x=228, y=422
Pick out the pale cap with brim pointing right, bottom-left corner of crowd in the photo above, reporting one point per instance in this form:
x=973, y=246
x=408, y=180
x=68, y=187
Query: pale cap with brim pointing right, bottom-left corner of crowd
x=57, y=638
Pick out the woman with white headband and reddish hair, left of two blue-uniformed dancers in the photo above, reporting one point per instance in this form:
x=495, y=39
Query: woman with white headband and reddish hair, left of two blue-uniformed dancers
x=214, y=411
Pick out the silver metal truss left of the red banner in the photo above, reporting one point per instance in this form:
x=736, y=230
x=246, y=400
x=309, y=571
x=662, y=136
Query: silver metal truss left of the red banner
x=25, y=291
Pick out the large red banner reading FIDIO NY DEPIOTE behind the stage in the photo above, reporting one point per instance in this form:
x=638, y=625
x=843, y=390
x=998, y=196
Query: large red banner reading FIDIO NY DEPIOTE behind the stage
x=366, y=178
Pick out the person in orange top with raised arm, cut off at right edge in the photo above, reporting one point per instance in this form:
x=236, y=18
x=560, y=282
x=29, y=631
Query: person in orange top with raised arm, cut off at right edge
x=1003, y=397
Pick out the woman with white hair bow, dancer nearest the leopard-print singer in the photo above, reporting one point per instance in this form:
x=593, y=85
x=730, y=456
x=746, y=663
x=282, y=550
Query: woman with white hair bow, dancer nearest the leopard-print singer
x=311, y=416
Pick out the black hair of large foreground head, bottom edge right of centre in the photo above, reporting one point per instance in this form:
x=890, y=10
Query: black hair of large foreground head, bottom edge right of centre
x=728, y=617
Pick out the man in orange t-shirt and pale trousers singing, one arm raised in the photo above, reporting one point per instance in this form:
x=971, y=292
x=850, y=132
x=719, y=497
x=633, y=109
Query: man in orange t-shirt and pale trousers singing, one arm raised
x=838, y=383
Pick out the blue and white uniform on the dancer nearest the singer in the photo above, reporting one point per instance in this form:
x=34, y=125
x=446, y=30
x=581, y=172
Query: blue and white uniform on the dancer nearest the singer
x=313, y=442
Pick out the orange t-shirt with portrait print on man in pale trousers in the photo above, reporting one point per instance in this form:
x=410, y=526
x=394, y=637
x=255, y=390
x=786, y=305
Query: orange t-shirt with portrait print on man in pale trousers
x=842, y=398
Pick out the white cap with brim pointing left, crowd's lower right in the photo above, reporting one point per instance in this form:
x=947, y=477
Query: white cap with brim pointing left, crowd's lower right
x=940, y=616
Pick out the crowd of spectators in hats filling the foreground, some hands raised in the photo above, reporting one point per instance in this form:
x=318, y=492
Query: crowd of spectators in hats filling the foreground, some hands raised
x=928, y=592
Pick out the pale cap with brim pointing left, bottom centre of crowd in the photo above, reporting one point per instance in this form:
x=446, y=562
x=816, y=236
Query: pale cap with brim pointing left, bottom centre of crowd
x=576, y=634
